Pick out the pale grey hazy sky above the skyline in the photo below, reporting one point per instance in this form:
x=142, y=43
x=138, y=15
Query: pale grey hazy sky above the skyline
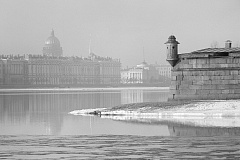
x=119, y=28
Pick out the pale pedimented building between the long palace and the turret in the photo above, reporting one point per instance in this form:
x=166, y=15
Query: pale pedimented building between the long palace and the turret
x=142, y=73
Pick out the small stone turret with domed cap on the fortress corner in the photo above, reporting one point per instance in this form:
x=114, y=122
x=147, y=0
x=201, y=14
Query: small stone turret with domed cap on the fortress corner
x=172, y=50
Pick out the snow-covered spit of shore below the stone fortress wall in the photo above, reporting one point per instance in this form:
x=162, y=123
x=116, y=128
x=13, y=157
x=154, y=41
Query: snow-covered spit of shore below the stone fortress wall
x=219, y=113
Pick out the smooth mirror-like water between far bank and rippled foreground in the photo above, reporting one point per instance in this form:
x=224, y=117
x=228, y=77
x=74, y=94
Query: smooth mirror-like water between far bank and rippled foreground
x=47, y=113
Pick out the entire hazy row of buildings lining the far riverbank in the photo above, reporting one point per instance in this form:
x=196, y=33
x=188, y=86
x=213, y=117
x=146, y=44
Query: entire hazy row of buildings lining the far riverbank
x=39, y=70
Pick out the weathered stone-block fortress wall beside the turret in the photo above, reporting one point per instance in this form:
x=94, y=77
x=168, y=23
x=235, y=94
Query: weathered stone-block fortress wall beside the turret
x=206, y=76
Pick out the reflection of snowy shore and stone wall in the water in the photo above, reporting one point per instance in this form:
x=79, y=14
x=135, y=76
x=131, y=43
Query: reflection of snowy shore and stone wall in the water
x=177, y=129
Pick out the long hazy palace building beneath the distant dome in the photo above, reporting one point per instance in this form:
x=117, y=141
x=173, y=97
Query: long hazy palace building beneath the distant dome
x=40, y=70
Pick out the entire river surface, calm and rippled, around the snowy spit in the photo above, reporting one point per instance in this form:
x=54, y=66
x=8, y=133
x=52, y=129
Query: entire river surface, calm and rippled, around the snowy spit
x=36, y=124
